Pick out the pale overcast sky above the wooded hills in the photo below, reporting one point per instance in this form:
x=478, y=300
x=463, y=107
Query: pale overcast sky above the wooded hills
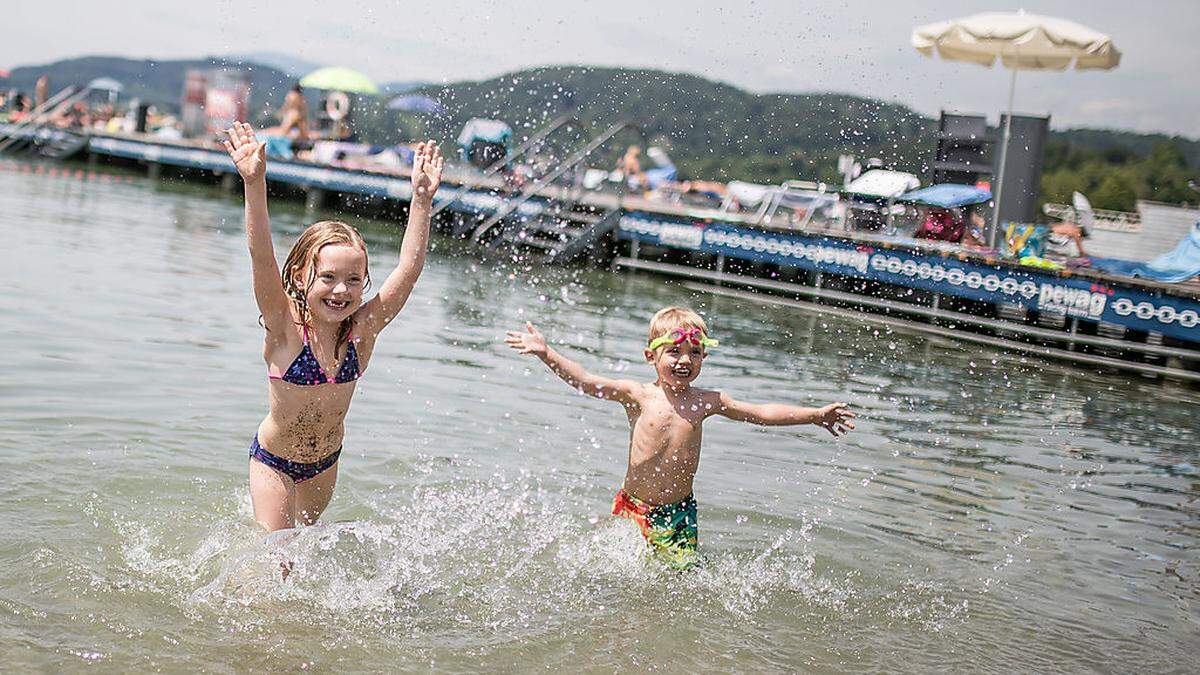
x=860, y=47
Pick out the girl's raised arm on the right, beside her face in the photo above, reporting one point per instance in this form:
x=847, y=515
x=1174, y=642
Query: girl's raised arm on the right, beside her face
x=399, y=286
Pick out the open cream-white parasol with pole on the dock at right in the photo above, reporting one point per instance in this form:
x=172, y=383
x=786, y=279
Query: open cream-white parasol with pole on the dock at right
x=1022, y=43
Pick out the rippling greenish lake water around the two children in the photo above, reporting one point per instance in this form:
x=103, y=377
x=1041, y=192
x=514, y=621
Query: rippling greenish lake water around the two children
x=992, y=513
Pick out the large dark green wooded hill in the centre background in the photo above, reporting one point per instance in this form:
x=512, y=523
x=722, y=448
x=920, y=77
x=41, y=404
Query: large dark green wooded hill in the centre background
x=712, y=130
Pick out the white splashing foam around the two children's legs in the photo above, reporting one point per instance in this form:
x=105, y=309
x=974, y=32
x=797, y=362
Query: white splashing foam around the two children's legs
x=478, y=560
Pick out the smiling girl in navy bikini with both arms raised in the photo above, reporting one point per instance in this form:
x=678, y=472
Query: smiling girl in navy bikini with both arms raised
x=320, y=334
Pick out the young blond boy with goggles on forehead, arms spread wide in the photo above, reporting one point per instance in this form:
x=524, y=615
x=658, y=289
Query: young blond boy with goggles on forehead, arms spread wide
x=665, y=420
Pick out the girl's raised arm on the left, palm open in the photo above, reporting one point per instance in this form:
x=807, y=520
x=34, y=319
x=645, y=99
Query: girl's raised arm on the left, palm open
x=250, y=157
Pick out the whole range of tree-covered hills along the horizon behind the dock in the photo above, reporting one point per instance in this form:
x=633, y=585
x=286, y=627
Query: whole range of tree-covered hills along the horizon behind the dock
x=711, y=129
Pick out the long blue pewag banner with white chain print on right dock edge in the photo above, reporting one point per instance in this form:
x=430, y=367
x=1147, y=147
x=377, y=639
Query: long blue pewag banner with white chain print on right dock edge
x=1081, y=298
